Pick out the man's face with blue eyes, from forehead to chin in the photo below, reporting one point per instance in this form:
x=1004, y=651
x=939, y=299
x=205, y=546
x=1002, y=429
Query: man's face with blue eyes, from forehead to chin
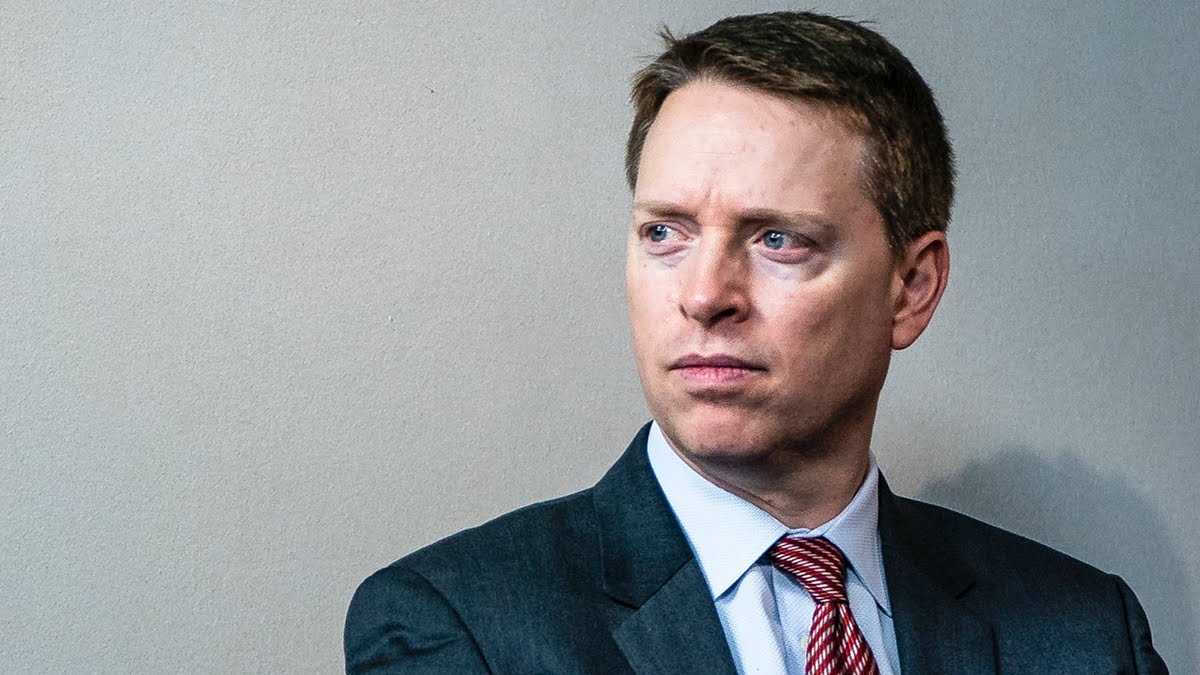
x=761, y=286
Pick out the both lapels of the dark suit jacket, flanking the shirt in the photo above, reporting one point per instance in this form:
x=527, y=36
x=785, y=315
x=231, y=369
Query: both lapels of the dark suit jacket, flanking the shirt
x=674, y=626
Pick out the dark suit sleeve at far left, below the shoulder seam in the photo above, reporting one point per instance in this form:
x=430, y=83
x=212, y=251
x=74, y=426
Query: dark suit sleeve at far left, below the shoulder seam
x=399, y=623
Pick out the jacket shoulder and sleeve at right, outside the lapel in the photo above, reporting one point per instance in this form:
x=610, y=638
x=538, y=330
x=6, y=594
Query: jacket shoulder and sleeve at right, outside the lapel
x=1041, y=602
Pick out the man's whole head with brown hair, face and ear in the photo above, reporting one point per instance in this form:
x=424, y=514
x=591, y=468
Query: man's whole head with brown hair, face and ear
x=785, y=235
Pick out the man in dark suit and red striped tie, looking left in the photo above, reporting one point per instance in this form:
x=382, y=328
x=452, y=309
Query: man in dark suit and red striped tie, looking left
x=793, y=186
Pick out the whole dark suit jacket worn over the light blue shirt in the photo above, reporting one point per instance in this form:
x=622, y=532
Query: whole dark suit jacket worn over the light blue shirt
x=604, y=582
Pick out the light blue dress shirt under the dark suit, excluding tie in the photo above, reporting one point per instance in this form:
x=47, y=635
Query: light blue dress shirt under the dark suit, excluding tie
x=767, y=614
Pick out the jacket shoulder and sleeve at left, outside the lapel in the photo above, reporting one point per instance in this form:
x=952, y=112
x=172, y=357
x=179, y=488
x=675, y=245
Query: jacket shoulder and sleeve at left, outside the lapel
x=485, y=592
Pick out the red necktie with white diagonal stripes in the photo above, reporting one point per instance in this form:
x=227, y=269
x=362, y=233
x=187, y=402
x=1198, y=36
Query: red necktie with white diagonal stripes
x=837, y=646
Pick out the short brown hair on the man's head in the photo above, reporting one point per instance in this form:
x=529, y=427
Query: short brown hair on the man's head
x=832, y=63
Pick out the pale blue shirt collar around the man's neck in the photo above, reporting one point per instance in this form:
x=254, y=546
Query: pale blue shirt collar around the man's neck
x=730, y=535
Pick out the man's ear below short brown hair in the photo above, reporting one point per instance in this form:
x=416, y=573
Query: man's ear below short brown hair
x=922, y=273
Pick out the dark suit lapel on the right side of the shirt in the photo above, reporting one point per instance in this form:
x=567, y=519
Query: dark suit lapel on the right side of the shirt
x=927, y=586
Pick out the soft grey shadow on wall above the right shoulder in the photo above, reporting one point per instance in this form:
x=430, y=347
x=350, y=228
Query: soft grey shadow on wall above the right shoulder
x=1065, y=504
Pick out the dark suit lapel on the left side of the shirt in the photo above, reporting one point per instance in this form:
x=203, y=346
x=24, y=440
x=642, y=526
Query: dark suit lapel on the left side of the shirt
x=650, y=569
